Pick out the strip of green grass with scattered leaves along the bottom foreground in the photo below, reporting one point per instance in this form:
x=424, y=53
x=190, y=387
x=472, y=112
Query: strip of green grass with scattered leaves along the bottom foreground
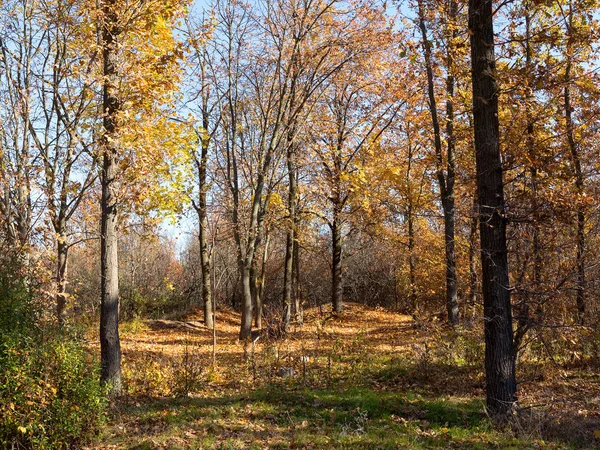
x=281, y=416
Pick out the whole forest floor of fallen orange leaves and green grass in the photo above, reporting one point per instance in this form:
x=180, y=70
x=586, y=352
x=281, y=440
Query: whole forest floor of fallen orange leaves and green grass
x=370, y=379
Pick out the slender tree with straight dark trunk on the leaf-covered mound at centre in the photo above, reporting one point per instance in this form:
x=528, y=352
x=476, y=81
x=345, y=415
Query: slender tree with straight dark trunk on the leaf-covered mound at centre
x=357, y=108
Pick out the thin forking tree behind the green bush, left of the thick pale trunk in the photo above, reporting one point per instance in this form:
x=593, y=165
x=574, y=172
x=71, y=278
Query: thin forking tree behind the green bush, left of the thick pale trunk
x=61, y=131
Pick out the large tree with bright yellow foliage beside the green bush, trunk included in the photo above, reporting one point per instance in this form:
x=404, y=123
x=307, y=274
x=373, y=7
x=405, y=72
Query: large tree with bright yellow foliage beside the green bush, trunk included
x=140, y=64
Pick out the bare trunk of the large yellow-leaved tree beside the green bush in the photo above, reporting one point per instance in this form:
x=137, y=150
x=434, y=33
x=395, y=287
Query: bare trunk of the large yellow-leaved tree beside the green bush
x=110, y=345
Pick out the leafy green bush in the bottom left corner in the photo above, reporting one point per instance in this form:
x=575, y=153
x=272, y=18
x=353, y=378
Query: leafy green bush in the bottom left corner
x=50, y=394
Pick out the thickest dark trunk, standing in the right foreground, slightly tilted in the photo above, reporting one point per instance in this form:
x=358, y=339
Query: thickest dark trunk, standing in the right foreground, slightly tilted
x=499, y=346
